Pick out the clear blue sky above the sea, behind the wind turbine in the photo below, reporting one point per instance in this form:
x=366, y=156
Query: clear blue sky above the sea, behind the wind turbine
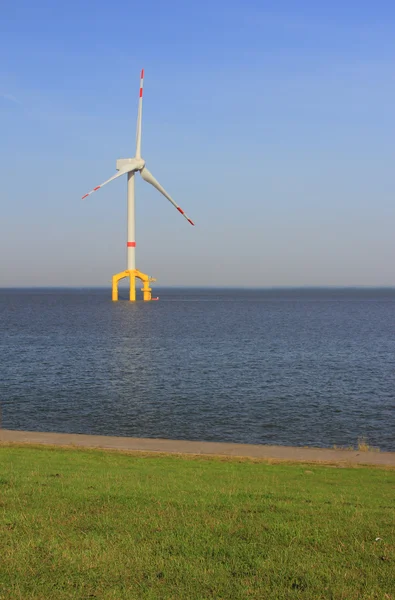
x=271, y=123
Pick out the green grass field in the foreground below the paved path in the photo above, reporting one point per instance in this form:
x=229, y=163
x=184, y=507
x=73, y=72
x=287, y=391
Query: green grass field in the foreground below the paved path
x=97, y=524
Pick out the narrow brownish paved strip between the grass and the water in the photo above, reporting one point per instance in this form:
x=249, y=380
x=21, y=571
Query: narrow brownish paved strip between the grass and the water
x=223, y=449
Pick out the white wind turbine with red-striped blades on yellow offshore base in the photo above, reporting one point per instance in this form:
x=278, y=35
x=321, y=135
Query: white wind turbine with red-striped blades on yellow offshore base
x=130, y=166
